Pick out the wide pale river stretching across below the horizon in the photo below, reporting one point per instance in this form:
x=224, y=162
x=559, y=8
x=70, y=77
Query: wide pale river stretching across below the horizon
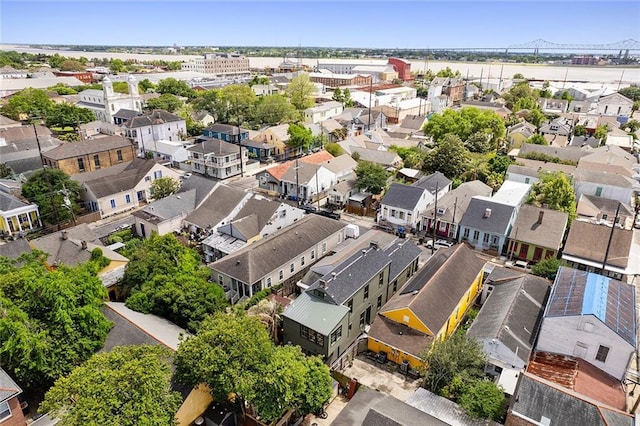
x=590, y=74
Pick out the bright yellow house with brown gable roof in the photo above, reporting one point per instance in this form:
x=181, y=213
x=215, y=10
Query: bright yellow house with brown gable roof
x=430, y=306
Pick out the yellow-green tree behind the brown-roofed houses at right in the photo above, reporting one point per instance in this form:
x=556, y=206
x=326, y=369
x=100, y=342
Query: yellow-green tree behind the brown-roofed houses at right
x=555, y=191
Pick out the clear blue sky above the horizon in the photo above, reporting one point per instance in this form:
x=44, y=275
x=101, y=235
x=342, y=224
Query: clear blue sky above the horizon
x=360, y=23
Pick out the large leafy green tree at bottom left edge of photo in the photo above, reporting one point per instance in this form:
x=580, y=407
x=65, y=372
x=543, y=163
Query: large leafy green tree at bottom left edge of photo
x=128, y=386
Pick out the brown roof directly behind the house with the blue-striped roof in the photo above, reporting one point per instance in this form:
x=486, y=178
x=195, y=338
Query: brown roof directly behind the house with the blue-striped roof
x=588, y=241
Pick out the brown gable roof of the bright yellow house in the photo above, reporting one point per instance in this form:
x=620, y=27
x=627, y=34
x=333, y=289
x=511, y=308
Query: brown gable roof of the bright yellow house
x=440, y=284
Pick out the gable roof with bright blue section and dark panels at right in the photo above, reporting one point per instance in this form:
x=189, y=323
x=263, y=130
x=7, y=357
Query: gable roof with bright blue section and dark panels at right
x=577, y=293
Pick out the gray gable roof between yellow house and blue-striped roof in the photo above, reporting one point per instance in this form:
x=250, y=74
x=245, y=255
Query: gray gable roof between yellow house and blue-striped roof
x=512, y=313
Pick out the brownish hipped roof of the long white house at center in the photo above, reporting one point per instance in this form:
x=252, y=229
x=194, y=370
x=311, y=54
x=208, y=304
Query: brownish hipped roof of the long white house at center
x=255, y=261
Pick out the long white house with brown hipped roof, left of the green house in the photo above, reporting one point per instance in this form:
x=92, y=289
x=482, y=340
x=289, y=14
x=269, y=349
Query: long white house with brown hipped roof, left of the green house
x=281, y=259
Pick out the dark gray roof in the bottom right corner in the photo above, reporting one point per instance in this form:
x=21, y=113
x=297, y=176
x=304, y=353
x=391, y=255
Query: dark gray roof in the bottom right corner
x=536, y=398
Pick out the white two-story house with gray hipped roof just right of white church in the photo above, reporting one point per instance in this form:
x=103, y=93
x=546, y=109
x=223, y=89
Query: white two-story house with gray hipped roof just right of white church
x=154, y=126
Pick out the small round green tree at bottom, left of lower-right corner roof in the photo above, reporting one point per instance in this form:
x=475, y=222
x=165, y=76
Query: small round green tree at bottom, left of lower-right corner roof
x=483, y=399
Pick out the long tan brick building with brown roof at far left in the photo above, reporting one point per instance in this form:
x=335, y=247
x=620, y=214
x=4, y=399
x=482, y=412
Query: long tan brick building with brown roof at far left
x=90, y=155
